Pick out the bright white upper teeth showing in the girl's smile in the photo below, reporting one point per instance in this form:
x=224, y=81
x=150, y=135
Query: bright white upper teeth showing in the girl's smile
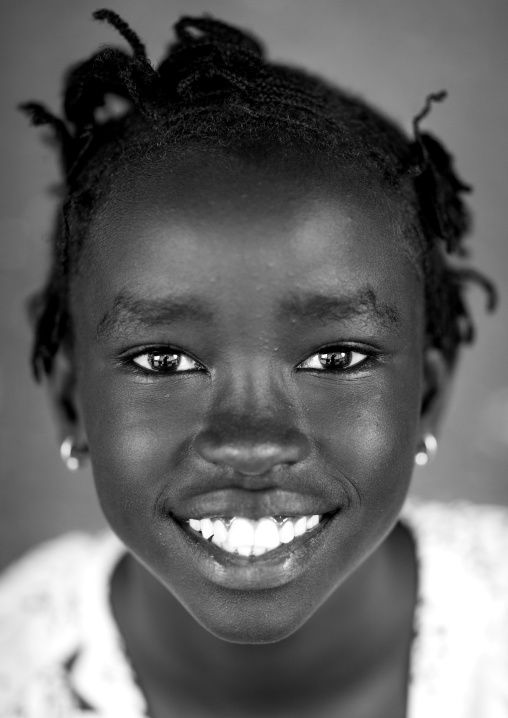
x=252, y=538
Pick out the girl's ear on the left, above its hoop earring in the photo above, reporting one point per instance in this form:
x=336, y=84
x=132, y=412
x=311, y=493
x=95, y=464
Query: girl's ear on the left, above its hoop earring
x=61, y=383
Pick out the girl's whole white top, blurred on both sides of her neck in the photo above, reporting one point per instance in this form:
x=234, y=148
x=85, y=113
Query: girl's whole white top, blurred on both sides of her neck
x=61, y=654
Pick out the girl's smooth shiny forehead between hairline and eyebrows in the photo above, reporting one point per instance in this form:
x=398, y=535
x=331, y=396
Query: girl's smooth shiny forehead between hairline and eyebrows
x=259, y=232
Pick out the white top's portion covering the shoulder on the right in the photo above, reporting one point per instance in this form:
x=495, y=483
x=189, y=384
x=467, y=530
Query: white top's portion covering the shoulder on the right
x=460, y=651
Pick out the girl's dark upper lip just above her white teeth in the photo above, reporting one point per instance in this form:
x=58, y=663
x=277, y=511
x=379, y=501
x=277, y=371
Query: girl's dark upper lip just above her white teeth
x=231, y=502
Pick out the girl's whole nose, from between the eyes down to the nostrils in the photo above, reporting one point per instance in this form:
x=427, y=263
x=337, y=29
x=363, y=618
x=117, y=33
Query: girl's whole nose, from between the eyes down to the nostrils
x=251, y=426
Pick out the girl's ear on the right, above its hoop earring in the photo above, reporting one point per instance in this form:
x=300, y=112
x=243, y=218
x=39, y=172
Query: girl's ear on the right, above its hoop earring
x=437, y=380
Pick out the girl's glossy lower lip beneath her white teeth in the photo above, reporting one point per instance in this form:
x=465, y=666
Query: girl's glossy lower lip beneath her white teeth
x=270, y=570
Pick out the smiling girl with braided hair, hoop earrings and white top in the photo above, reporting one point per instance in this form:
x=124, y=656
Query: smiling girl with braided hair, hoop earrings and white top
x=249, y=328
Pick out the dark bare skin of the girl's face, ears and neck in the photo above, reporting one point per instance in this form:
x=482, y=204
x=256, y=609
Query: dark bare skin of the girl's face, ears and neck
x=253, y=412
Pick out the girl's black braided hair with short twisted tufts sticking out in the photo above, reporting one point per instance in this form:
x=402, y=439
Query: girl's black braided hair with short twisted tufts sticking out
x=215, y=88
